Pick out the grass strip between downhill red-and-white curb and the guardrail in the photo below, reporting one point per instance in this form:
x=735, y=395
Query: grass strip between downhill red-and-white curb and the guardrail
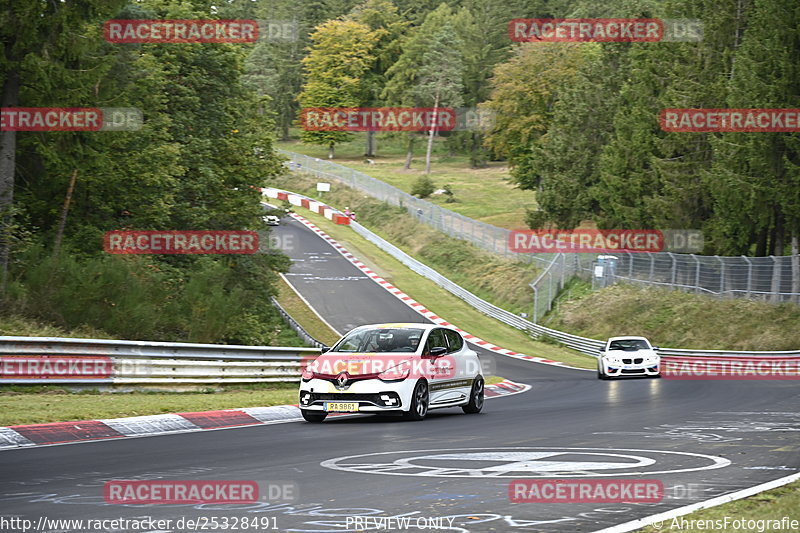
x=442, y=302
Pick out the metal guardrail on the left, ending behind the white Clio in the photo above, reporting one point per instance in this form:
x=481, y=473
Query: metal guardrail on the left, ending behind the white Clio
x=144, y=362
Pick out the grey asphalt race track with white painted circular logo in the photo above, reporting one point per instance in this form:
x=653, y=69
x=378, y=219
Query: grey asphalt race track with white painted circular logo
x=700, y=438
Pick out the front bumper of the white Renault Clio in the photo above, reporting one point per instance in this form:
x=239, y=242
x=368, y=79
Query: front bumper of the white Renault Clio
x=371, y=395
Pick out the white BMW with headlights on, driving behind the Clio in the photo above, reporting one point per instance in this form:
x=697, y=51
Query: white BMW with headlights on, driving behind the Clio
x=628, y=357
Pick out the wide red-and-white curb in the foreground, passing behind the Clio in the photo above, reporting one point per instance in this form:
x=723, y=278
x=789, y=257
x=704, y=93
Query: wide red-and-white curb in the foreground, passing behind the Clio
x=55, y=433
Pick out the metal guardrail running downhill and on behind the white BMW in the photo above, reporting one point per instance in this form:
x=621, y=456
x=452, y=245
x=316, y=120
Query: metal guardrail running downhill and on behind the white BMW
x=576, y=342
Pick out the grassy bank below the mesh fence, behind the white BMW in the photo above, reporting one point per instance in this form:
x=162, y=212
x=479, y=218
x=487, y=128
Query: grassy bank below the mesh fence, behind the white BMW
x=676, y=319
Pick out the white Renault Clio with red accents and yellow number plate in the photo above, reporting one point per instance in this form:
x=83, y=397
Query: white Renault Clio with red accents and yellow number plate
x=393, y=368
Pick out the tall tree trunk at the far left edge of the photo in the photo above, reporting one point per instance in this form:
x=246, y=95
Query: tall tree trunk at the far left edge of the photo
x=8, y=149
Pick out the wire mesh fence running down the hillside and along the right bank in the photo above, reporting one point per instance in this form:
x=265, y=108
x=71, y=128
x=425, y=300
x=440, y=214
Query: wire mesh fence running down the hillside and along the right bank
x=773, y=278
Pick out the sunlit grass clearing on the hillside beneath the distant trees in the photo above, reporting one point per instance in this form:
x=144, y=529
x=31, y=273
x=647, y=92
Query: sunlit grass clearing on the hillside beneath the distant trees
x=485, y=194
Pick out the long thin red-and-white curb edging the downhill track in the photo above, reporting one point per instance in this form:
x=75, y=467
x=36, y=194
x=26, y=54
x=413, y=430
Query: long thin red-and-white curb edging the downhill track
x=418, y=307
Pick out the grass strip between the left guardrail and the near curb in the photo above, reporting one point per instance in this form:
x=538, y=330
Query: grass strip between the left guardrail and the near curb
x=35, y=405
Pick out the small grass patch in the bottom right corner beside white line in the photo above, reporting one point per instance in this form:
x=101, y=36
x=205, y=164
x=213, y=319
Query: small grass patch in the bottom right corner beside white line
x=770, y=505
